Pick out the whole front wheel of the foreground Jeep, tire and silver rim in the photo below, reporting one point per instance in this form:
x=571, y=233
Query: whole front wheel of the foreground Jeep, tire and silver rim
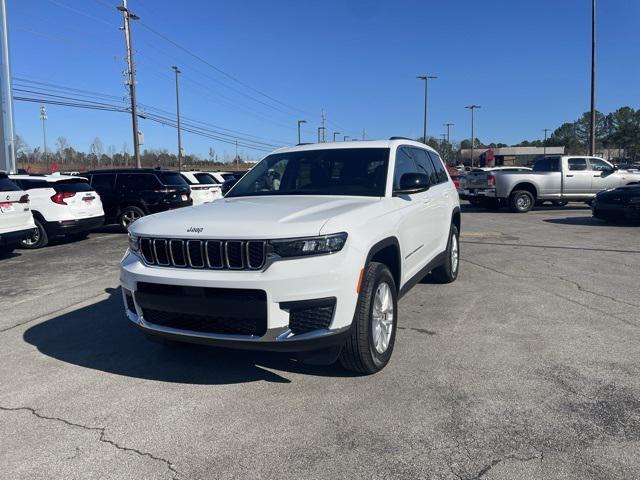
x=373, y=331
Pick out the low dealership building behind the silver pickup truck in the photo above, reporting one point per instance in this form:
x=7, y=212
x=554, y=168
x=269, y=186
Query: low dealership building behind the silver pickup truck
x=507, y=156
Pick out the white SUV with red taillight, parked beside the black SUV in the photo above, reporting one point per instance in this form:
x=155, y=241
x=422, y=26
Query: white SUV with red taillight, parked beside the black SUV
x=62, y=205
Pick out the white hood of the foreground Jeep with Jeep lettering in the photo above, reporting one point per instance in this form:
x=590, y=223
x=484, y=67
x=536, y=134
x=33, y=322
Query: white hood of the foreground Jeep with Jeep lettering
x=251, y=217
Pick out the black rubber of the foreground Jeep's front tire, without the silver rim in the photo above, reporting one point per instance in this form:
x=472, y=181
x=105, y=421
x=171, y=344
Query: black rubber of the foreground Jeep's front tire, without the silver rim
x=359, y=353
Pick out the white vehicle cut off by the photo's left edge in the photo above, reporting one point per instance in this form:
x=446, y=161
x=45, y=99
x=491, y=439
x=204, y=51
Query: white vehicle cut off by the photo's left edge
x=16, y=220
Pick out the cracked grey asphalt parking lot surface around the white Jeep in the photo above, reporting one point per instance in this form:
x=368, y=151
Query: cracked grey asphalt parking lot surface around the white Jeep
x=527, y=367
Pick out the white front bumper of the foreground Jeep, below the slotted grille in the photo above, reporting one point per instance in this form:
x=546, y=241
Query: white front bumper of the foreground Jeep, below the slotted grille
x=285, y=283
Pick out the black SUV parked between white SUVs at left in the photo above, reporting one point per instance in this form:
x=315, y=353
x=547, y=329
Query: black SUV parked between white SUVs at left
x=130, y=193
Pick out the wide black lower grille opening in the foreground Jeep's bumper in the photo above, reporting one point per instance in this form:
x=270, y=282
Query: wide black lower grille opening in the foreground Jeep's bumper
x=206, y=310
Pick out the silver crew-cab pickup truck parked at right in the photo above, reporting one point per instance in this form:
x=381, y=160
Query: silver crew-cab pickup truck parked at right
x=557, y=179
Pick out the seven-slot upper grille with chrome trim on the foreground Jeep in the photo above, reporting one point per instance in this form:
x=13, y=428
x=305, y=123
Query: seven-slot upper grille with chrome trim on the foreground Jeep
x=214, y=254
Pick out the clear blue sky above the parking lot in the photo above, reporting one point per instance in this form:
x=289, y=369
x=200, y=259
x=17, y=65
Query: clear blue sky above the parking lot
x=525, y=63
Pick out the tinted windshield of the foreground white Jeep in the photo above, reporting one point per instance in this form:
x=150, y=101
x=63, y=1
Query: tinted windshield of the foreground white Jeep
x=345, y=171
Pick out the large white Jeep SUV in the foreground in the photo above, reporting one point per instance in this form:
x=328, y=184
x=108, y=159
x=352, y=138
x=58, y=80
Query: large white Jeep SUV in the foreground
x=308, y=253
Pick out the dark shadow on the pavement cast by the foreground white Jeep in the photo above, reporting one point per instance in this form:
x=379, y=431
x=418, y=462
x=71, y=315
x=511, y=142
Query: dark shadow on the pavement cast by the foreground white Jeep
x=100, y=337
